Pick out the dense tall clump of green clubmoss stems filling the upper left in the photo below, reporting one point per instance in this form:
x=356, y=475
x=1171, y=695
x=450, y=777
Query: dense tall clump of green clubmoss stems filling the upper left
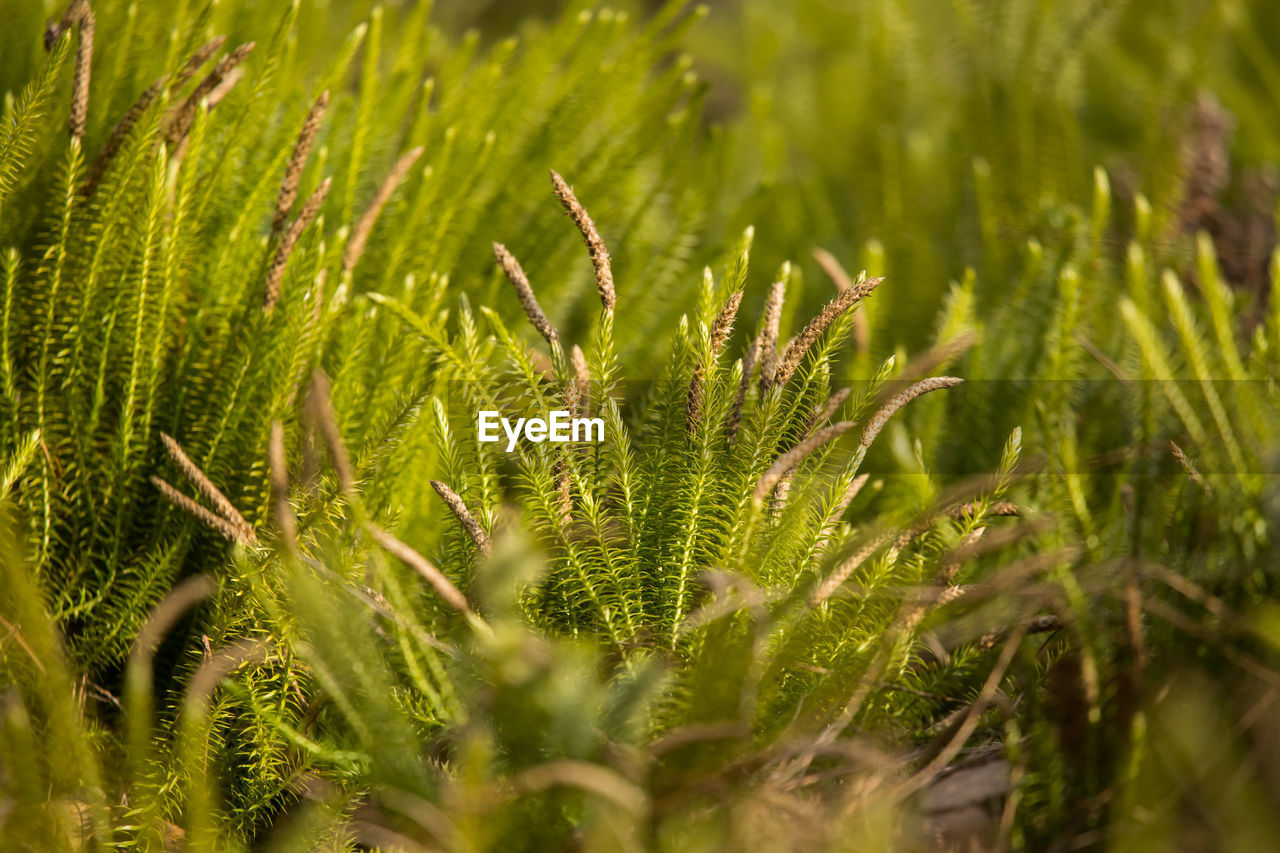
x=134, y=305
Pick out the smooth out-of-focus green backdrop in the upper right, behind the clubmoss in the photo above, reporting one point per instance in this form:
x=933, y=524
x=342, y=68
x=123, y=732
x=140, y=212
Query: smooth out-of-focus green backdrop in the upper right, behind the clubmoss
x=860, y=126
